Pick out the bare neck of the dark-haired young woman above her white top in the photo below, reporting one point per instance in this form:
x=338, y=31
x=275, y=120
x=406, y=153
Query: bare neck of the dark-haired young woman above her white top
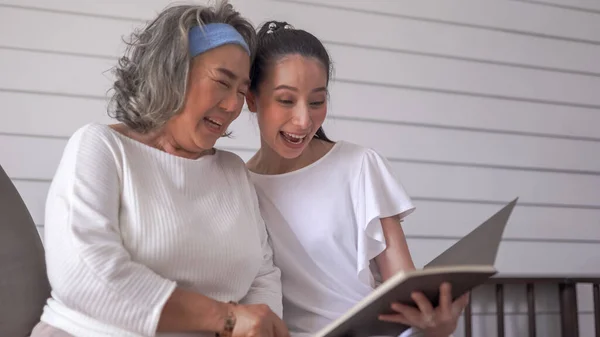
x=267, y=161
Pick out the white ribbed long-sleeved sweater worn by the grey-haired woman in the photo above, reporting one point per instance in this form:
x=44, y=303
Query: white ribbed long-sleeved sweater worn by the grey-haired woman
x=126, y=223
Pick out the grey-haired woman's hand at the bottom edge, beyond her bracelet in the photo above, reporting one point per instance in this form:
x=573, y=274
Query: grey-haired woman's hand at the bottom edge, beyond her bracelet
x=257, y=320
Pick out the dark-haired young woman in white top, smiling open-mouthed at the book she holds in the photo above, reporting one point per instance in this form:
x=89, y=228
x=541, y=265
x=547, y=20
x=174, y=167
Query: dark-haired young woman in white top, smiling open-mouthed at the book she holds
x=333, y=209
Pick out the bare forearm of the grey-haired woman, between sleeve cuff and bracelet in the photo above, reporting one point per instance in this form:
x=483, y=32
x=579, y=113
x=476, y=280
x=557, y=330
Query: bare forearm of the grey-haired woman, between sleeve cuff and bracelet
x=190, y=311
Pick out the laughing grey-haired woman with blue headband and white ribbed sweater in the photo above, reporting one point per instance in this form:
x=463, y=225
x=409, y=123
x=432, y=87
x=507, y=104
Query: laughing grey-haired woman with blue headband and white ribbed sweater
x=150, y=229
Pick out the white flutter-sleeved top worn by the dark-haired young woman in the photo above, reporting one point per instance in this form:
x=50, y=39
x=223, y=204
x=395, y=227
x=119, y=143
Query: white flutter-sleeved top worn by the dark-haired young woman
x=324, y=224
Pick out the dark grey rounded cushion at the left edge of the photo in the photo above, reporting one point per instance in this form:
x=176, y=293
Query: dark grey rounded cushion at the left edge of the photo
x=24, y=286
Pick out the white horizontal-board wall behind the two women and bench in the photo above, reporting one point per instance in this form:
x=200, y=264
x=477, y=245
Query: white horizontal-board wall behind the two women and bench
x=474, y=102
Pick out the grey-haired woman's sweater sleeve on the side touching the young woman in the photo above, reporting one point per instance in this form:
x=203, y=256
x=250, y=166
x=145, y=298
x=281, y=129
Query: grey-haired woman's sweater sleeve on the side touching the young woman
x=266, y=287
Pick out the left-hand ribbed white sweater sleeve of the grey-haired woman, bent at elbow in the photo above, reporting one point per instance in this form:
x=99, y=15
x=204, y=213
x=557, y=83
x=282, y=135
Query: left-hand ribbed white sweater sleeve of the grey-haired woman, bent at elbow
x=89, y=268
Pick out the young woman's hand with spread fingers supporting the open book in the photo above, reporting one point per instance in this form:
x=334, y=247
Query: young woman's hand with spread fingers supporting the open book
x=438, y=322
